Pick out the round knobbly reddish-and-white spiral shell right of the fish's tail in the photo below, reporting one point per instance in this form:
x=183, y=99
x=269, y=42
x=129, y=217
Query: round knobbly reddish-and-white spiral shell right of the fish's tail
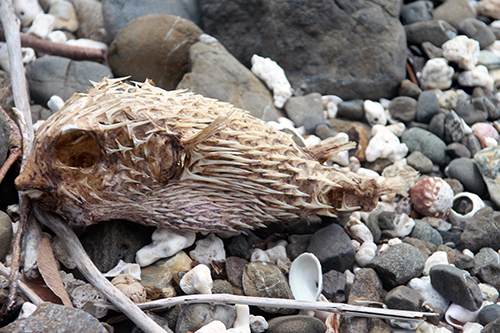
x=432, y=196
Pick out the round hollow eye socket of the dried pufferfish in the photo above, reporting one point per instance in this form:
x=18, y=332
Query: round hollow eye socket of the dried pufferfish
x=77, y=148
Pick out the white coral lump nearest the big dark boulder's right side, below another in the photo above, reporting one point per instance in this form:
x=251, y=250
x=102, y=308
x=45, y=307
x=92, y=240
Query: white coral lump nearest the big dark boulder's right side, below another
x=462, y=50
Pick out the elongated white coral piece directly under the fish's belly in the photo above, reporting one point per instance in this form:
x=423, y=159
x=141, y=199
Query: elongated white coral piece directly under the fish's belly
x=166, y=243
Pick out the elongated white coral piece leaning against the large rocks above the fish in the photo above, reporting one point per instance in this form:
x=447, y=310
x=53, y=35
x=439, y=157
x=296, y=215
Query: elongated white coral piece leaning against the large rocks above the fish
x=274, y=76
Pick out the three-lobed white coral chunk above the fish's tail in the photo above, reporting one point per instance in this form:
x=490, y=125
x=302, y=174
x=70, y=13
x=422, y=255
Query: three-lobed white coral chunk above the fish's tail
x=384, y=144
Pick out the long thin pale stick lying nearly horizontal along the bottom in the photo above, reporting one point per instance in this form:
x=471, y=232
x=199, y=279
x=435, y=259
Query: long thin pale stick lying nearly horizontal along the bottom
x=339, y=308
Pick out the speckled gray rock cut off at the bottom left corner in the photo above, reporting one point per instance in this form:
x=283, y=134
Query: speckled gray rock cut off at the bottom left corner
x=49, y=318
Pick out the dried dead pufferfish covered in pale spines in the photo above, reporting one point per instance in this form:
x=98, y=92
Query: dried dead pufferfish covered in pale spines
x=178, y=160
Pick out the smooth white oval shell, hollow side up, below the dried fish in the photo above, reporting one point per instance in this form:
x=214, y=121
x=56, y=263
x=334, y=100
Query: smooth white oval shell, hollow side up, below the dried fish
x=306, y=277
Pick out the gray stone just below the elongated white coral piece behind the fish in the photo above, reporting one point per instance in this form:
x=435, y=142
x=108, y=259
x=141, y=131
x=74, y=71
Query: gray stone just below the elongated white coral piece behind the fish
x=298, y=107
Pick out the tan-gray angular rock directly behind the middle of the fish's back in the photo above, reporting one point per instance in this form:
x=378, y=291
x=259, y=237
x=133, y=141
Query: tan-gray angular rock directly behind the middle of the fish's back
x=213, y=72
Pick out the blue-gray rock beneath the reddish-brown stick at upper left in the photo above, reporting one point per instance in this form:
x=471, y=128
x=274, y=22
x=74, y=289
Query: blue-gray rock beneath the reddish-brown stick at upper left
x=52, y=75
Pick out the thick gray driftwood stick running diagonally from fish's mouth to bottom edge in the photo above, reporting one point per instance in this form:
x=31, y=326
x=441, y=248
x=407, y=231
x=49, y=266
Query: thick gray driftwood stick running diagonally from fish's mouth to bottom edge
x=76, y=251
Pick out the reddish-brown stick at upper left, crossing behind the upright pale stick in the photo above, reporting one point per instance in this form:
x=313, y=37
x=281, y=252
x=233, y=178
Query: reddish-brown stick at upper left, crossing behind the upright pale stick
x=58, y=49
